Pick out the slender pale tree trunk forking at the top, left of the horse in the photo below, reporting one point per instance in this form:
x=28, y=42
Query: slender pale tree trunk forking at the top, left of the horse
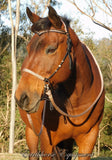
x=14, y=77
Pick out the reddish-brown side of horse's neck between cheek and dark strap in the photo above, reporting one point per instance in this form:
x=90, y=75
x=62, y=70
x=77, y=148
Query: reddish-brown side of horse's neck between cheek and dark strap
x=81, y=76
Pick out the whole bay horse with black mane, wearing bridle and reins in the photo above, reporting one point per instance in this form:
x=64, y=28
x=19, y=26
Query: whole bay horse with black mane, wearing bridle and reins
x=61, y=93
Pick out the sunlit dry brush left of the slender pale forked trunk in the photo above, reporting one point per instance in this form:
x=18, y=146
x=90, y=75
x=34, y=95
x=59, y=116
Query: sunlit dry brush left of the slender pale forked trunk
x=5, y=86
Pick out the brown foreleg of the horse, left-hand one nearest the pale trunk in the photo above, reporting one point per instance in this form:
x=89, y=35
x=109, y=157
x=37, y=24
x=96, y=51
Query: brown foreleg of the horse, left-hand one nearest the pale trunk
x=32, y=142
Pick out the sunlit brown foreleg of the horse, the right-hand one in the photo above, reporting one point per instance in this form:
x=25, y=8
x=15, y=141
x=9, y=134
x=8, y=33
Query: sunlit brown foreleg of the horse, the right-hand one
x=86, y=143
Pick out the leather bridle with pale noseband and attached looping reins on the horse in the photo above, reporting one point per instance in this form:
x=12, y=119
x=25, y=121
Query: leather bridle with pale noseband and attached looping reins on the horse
x=47, y=90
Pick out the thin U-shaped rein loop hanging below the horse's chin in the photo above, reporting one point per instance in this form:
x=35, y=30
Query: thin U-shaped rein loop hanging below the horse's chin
x=43, y=118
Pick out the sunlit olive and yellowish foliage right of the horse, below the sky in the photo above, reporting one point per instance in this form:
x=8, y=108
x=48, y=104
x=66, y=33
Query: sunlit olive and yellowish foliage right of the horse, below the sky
x=102, y=50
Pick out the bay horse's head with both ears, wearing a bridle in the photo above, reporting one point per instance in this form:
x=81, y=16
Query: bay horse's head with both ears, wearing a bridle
x=50, y=58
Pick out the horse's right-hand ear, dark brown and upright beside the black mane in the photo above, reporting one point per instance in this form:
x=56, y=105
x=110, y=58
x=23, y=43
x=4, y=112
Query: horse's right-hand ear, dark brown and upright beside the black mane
x=54, y=18
